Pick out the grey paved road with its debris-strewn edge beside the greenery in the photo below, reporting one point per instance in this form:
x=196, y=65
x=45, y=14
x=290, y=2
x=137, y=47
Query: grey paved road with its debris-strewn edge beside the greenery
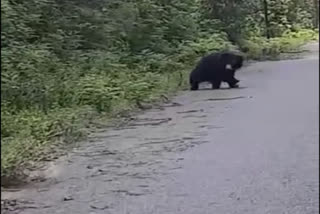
x=252, y=150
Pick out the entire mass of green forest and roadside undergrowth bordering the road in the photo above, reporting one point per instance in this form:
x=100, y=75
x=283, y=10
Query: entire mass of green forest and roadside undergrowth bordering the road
x=66, y=61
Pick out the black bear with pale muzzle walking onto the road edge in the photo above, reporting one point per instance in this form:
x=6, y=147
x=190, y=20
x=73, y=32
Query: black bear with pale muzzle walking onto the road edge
x=216, y=68
